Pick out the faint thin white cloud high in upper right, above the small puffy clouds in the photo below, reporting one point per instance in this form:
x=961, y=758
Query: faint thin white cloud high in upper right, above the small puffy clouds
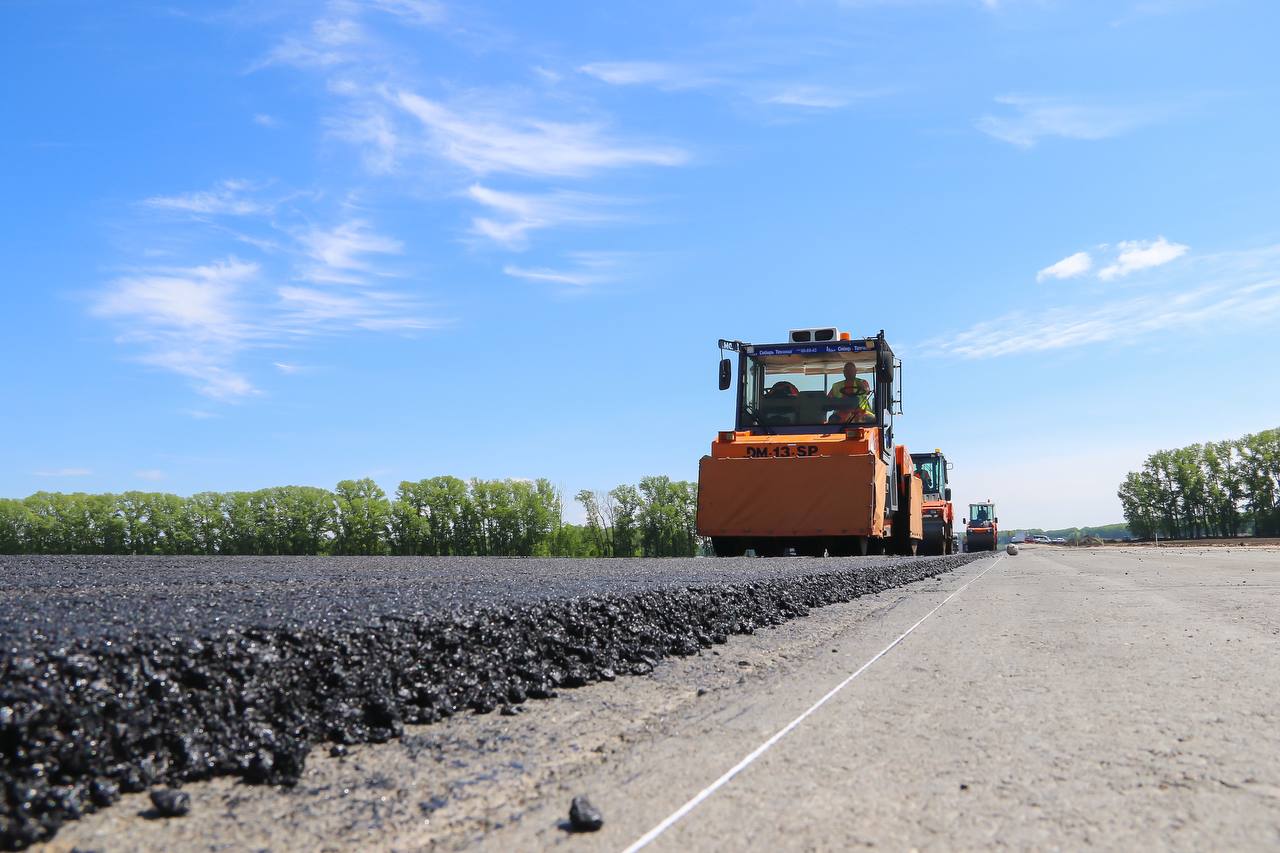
x=1037, y=118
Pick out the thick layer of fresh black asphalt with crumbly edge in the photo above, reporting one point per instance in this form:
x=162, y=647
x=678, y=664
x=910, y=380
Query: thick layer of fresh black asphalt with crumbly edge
x=118, y=674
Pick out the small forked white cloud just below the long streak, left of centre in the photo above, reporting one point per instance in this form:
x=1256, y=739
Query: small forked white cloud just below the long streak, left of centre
x=523, y=213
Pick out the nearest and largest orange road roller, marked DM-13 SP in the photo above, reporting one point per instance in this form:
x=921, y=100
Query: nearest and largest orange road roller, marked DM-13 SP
x=811, y=464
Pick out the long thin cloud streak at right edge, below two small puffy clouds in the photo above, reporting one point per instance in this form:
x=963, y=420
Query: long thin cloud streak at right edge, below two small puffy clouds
x=1233, y=289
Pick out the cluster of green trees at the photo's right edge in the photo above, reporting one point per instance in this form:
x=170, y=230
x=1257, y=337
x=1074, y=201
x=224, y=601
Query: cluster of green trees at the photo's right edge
x=1215, y=490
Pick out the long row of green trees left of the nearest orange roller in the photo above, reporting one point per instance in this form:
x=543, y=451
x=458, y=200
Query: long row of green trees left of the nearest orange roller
x=436, y=517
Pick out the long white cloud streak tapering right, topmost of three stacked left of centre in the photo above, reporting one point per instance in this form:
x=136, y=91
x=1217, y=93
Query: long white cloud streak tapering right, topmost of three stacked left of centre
x=491, y=143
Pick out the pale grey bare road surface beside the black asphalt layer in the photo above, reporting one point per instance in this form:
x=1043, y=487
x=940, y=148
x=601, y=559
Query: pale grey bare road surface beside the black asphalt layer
x=1123, y=699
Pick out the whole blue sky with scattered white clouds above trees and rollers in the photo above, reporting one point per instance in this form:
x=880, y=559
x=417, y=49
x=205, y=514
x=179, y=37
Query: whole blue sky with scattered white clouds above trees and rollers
x=277, y=244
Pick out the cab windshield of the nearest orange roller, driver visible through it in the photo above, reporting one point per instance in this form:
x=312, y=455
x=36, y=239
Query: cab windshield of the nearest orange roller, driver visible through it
x=810, y=390
